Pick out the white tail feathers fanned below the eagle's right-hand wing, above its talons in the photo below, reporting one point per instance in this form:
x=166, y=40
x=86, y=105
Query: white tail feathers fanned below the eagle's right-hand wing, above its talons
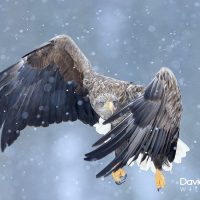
x=147, y=164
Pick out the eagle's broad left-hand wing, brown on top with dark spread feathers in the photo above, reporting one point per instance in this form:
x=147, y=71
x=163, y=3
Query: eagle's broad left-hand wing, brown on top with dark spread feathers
x=44, y=87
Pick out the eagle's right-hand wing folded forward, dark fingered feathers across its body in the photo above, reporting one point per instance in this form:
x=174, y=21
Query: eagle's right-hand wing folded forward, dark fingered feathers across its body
x=151, y=126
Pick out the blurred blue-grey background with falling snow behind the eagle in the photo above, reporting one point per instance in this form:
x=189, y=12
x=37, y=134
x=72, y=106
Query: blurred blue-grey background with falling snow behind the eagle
x=128, y=40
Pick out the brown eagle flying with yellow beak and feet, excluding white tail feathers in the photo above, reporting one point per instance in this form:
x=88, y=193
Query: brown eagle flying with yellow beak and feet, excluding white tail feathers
x=56, y=83
